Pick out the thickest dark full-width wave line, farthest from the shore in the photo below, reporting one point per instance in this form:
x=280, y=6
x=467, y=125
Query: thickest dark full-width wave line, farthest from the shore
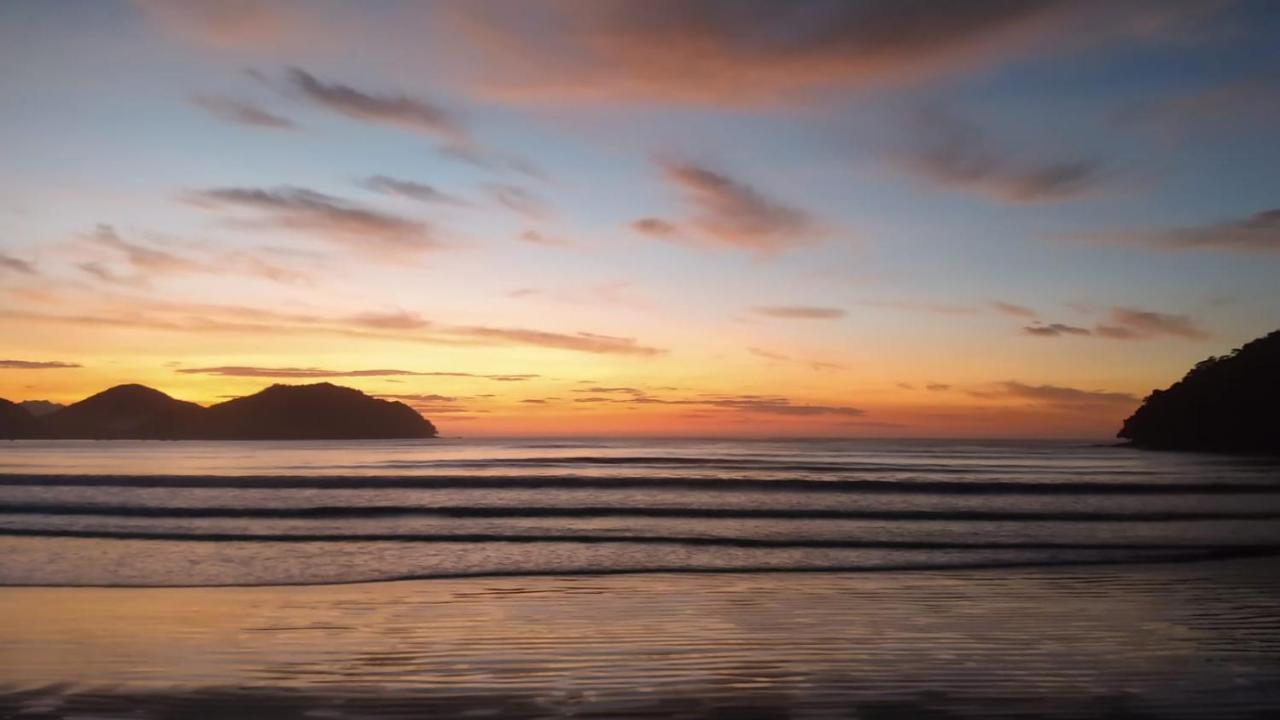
x=661, y=484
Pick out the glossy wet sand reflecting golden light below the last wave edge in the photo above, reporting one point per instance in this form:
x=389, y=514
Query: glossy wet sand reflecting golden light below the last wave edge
x=1199, y=640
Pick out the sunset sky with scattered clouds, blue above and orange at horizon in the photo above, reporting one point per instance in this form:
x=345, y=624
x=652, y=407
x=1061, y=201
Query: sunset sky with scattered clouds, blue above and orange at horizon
x=666, y=218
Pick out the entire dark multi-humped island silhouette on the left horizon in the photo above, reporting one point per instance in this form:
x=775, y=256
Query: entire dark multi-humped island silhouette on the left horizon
x=135, y=412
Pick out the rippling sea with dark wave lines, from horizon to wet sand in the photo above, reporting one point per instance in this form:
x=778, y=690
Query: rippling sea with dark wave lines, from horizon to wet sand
x=209, y=513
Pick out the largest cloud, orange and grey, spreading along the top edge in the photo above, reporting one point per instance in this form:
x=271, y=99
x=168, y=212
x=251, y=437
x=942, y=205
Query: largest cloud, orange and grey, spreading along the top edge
x=739, y=53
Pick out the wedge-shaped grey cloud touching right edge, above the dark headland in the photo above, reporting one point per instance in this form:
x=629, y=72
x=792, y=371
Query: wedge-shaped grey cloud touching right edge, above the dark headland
x=1258, y=233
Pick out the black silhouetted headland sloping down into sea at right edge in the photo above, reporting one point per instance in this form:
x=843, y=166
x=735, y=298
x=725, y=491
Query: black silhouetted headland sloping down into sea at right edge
x=1228, y=404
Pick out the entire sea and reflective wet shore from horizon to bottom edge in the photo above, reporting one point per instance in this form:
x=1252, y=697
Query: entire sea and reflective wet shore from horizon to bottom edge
x=639, y=578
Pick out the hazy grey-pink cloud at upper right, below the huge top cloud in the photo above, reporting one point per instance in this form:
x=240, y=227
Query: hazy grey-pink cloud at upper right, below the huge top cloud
x=958, y=154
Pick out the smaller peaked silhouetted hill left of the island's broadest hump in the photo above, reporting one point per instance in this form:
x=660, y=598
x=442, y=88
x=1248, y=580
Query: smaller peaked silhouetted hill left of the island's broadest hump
x=130, y=412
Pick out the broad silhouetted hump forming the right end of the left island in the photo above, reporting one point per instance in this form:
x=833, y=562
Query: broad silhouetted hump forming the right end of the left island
x=314, y=412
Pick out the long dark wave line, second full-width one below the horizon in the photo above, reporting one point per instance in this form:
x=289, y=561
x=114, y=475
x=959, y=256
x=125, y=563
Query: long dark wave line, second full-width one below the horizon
x=323, y=513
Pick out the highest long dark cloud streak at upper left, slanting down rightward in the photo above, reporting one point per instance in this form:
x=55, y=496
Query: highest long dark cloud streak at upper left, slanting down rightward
x=396, y=111
